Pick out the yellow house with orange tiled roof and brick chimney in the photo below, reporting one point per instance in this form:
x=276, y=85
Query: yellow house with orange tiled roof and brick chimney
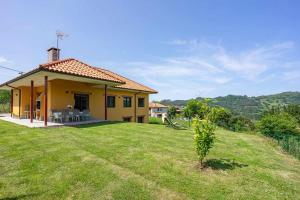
x=72, y=84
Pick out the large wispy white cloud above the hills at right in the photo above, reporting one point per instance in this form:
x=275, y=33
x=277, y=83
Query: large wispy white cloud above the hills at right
x=204, y=67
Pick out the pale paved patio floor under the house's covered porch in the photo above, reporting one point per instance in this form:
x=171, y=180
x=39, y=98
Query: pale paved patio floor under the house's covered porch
x=40, y=124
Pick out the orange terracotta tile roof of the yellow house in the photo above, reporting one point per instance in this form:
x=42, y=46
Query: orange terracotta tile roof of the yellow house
x=76, y=67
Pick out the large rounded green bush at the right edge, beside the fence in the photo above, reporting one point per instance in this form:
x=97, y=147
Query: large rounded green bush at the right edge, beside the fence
x=277, y=125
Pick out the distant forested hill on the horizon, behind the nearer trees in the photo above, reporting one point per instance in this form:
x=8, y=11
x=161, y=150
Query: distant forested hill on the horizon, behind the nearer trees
x=251, y=107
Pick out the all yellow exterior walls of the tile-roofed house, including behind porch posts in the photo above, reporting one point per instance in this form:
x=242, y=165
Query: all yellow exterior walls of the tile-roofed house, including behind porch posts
x=61, y=94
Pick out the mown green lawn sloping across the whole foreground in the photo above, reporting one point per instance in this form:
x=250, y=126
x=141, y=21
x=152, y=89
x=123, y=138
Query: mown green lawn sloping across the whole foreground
x=140, y=161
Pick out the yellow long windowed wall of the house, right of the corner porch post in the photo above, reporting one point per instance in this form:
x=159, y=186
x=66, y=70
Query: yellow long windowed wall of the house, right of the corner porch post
x=62, y=95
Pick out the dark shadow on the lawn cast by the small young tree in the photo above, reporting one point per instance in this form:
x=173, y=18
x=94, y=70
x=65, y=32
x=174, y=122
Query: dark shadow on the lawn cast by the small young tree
x=223, y=164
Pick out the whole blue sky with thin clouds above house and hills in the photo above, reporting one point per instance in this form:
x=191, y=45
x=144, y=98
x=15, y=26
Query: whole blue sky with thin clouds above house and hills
x=183, y=49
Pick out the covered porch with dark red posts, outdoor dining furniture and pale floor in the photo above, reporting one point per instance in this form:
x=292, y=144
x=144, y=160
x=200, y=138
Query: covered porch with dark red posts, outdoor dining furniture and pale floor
x=54, y=99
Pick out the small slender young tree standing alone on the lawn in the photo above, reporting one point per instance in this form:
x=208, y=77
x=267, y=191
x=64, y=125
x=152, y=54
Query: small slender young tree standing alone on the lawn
x=203, y=137
